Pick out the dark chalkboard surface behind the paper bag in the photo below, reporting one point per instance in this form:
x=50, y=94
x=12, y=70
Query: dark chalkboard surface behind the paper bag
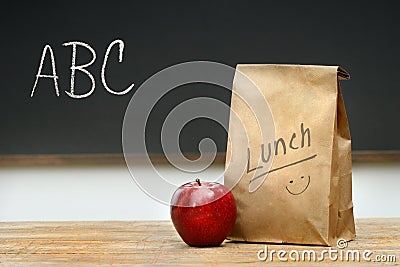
x=362, y=37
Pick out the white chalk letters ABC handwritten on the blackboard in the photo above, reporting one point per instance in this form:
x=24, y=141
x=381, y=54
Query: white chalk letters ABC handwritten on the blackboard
x=48, y=52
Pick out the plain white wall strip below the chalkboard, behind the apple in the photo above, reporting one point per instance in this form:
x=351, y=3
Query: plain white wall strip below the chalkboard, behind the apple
x=109, y=193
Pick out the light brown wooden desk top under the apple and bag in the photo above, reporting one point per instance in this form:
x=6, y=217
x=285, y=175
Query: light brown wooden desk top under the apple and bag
x=157, y=243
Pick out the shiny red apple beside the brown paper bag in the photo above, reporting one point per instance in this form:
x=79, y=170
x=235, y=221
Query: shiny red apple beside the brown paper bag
x=203, y=213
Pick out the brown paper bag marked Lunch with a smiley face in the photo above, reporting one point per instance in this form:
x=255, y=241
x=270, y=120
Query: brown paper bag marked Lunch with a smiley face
x=305, y=194
